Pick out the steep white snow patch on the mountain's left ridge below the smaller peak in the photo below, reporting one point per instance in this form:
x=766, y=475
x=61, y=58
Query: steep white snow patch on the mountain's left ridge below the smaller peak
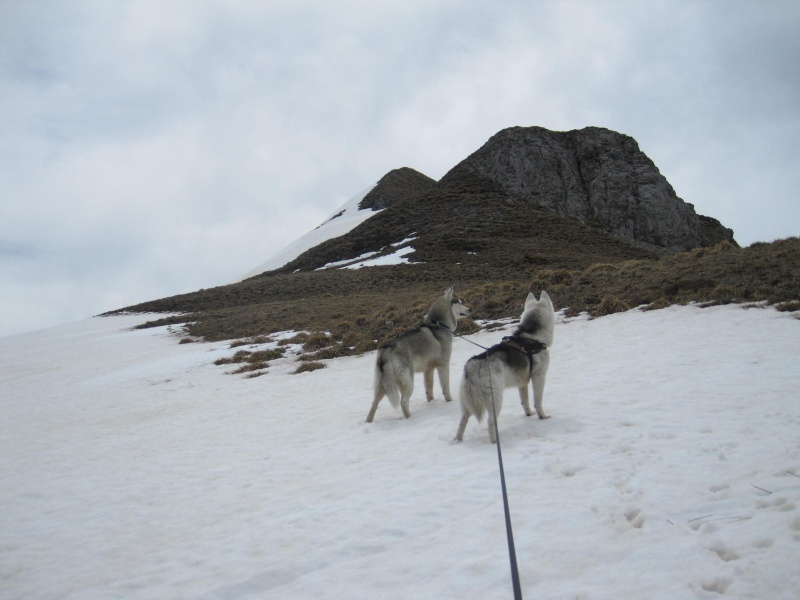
x=345, y=219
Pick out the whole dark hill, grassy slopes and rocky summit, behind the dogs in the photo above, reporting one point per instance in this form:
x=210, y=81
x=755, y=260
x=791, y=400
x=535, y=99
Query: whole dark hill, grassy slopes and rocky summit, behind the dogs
x=479, y=230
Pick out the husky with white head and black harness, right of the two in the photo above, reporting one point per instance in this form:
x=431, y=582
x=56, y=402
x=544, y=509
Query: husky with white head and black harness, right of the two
x=518, y=359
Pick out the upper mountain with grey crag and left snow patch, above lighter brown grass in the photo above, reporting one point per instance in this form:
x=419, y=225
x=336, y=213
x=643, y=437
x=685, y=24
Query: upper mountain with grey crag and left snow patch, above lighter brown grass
x=583, y=193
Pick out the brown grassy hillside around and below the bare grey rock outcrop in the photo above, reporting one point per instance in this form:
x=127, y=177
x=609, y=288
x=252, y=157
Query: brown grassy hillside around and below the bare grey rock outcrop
x=492, y=249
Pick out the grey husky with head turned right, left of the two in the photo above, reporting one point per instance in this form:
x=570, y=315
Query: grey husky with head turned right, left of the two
x=424, y=348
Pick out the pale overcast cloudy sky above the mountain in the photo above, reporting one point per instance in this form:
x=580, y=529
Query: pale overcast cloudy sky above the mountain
x=151, y=148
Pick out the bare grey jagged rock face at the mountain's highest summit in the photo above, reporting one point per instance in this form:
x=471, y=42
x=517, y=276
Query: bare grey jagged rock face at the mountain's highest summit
x=599, y=177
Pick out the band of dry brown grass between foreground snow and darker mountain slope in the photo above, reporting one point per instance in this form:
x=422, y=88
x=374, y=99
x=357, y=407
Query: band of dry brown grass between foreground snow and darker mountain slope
x=375, y=305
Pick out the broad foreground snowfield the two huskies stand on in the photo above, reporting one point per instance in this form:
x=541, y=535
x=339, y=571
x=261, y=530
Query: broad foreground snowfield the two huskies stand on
x=132, y=467
